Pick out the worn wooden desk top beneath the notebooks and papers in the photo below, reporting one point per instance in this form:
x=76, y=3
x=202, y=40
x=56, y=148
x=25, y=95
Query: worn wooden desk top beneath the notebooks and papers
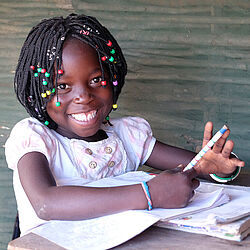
x=152, y=238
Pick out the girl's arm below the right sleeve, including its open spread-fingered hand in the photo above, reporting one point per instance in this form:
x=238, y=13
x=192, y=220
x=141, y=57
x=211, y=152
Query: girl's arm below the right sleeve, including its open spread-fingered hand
x=217, y=160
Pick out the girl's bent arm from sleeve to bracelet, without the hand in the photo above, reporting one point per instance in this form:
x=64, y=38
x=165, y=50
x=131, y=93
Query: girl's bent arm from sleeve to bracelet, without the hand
x=72, y=202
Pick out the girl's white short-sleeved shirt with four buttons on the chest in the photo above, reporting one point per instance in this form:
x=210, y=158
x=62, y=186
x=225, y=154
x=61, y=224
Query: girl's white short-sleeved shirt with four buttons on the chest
x=77, y=162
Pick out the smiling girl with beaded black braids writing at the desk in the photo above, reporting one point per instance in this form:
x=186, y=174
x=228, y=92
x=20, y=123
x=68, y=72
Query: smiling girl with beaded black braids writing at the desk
x=69, y=76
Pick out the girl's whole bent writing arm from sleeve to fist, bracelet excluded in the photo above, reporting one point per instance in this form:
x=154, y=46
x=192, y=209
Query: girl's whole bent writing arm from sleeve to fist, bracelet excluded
x=75, y=202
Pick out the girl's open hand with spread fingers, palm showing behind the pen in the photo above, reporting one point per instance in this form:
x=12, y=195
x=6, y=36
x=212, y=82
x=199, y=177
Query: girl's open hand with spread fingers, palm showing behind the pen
x=217, y=160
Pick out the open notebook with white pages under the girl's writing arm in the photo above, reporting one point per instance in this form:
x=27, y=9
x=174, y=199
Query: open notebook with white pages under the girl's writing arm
x=109, y=231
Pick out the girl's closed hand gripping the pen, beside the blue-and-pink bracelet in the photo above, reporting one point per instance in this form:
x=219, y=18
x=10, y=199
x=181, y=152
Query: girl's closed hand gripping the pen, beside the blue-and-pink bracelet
x=173, y=190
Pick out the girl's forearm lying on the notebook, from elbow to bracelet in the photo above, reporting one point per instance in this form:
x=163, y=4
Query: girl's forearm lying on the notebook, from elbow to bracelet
x=76, y=203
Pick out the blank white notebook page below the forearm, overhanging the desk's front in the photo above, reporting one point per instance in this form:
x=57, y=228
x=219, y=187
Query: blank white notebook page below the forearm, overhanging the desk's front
x=100, y=233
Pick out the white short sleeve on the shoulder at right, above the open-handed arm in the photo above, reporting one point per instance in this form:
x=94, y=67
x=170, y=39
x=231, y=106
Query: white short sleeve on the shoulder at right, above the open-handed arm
x=137, y=137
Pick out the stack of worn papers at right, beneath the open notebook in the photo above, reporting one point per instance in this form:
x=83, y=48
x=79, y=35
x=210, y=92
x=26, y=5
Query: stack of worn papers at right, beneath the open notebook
x=230, y=221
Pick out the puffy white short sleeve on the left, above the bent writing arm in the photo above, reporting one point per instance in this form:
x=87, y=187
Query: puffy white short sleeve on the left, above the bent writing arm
x=27, y=136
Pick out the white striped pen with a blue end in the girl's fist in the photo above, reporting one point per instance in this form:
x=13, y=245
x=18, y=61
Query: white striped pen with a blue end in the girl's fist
x=208, y=146
